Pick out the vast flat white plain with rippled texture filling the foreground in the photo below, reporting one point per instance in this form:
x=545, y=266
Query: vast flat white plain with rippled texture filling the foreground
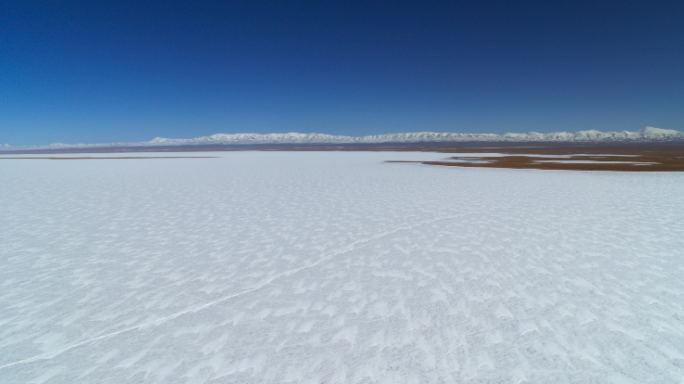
x=335, y=267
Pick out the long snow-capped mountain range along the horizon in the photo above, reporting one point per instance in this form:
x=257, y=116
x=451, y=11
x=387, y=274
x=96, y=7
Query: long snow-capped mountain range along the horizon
x=645, y=134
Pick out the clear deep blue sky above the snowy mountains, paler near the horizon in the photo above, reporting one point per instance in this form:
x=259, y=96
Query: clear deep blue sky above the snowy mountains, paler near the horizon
x=97, y=72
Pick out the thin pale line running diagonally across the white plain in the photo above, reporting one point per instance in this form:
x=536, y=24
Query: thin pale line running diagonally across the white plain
x=345, y=249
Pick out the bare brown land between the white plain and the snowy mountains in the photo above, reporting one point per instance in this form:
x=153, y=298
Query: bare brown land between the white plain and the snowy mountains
x=669, y=156
